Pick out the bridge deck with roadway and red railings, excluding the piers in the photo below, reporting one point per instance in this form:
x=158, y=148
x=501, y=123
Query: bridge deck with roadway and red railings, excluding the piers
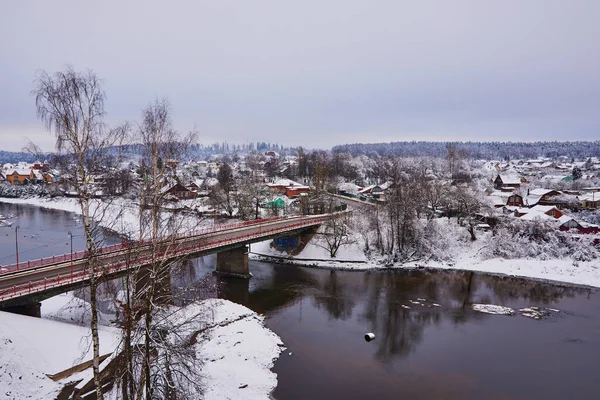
x=48, y=274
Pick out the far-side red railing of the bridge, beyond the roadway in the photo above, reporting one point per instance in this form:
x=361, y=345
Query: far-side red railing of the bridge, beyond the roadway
x=80, y=255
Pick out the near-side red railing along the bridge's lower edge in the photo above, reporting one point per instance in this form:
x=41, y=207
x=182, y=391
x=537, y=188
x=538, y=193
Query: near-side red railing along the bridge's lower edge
x=114, y=268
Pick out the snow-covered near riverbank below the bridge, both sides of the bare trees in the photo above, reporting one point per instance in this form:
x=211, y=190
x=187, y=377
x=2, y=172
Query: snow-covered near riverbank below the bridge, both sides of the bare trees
x=237, y=350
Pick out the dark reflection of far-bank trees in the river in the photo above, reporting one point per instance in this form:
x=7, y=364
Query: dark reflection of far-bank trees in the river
x=376, y=298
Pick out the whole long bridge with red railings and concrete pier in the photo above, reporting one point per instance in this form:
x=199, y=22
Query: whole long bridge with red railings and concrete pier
x=27, y=283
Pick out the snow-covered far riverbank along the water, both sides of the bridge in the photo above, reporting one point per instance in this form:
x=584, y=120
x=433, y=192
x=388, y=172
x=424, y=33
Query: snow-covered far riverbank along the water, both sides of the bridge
x=458, y=253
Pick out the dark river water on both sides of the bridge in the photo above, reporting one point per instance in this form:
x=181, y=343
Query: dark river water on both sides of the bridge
x=420, y=351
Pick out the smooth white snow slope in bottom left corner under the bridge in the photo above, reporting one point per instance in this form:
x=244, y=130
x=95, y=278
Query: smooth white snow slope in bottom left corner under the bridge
x=34, y=347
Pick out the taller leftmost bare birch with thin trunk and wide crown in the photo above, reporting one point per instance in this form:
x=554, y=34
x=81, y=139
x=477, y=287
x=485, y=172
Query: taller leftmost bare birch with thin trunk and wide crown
x=71, y=105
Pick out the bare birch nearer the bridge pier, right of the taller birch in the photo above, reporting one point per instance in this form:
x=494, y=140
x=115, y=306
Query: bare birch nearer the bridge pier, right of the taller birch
x=157, y=365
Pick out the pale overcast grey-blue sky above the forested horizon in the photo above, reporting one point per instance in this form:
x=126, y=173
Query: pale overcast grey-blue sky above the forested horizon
x=317, y=73
